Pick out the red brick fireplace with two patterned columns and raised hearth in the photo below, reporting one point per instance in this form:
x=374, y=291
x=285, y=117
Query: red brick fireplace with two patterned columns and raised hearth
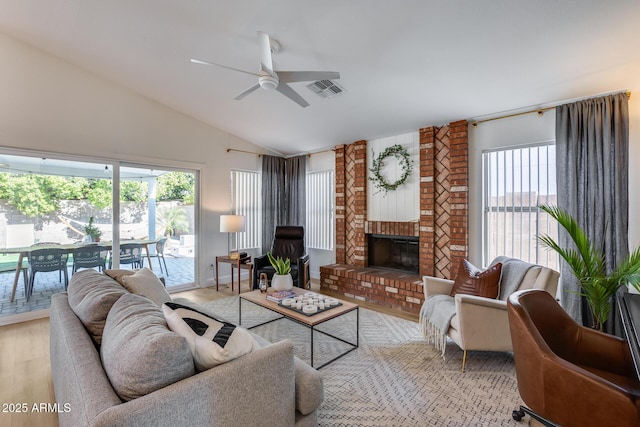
x=442, y=228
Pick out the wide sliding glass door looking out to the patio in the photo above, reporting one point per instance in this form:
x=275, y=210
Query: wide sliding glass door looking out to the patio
x=70, y=202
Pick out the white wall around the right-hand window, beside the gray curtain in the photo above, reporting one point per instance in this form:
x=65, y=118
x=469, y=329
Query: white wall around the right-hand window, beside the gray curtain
x=527, y=129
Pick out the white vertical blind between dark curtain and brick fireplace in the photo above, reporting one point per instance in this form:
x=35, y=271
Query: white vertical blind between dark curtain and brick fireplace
x=320, y=231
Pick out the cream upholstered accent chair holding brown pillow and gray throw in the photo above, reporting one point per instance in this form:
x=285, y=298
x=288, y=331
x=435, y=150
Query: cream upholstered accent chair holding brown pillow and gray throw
x=480, y=323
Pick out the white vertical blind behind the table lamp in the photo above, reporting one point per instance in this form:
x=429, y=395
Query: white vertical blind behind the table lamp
x=246, y=200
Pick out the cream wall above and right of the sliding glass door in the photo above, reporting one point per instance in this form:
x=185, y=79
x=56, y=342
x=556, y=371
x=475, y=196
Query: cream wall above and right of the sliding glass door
x=52, y=106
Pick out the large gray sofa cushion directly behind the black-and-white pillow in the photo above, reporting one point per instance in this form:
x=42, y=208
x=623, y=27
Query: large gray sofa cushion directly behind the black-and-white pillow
x=139, y=352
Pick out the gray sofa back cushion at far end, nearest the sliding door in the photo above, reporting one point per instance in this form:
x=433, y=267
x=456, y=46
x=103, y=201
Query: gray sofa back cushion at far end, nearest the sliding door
x=91, y=296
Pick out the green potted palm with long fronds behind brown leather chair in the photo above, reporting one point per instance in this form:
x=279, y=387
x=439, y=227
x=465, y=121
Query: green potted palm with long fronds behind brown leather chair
x=587, y=262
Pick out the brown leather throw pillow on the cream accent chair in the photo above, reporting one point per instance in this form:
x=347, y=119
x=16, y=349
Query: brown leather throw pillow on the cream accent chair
x=473, y=281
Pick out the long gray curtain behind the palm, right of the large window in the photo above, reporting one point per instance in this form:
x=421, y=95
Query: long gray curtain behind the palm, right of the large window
x=592, y=138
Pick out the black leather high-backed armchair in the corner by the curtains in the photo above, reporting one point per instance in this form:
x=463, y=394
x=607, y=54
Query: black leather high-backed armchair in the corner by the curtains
x=288, y=242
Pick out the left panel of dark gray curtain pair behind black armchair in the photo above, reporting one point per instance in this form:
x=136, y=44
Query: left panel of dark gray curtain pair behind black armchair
x=273, y=198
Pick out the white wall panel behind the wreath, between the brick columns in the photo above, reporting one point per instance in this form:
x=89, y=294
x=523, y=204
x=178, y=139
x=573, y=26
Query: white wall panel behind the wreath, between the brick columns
x=403, y=204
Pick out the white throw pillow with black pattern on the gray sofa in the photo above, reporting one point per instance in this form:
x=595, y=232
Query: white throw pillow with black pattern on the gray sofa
x=212, y=341
